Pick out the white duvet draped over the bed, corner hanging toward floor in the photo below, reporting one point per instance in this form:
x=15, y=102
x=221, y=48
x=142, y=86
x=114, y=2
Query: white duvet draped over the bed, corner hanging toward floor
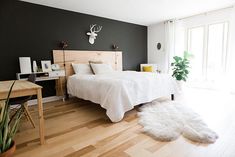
x=119, y=92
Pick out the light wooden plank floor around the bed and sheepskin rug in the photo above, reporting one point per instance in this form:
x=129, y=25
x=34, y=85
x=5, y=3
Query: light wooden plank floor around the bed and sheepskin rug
x=80, y=128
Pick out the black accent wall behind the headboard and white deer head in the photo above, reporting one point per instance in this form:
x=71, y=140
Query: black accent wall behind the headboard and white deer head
x=33, y=30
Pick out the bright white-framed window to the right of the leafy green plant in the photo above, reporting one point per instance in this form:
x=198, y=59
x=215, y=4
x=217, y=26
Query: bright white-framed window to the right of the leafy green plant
x=208, y=44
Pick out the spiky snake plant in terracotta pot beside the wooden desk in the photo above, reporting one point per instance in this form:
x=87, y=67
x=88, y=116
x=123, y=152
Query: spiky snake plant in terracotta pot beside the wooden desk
x=8, y=127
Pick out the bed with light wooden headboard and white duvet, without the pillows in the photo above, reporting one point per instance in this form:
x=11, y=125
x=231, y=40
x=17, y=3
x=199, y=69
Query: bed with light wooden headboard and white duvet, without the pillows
x=119, y=91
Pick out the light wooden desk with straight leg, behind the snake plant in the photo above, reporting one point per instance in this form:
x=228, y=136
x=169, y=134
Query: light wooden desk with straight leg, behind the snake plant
x=25, y=88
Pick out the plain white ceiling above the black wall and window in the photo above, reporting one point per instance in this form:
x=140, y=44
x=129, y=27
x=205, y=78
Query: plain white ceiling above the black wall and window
x=144, y=12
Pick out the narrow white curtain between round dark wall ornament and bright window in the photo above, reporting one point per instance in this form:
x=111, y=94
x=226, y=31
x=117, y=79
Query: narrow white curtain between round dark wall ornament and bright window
x=169, y=45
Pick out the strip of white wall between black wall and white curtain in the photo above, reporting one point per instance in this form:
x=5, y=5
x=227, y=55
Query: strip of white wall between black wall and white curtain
x=156, y=34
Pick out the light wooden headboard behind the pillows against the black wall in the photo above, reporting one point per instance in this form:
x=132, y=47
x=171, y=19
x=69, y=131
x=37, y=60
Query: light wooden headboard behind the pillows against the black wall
x=114, y=58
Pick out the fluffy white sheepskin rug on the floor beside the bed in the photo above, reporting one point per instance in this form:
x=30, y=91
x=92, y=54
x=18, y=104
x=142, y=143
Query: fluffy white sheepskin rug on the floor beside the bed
x=167, y=120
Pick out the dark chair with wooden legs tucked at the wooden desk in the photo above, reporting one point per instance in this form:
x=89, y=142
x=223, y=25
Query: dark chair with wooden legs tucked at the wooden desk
x=24, y=101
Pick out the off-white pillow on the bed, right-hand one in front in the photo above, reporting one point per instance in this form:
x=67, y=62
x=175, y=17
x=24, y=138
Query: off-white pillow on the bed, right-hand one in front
x=101, y=68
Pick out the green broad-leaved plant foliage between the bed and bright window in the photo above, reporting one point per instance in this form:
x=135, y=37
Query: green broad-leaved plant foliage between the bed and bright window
x=181, y=66
